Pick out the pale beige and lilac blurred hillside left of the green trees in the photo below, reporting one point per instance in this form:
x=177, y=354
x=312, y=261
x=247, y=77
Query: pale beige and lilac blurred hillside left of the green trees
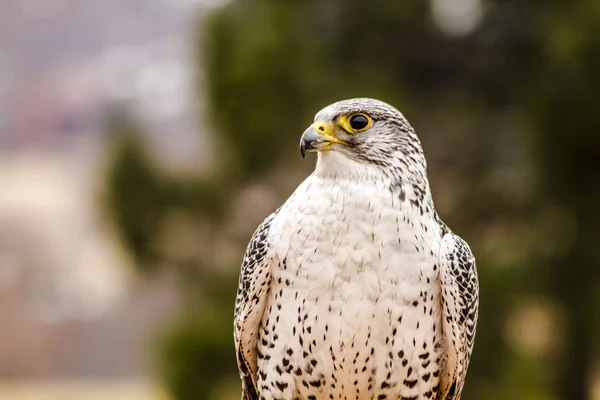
x=76, y=321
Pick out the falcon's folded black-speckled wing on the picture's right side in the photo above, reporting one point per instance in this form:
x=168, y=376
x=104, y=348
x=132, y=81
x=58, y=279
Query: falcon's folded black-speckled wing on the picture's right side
x=460, y=302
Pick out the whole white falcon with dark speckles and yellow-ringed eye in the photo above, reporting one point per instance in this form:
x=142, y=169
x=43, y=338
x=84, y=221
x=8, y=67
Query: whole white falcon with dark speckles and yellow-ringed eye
x=354, y=288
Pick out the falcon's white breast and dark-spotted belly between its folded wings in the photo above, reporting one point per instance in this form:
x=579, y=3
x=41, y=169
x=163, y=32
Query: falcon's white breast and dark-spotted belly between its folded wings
x=354, y=307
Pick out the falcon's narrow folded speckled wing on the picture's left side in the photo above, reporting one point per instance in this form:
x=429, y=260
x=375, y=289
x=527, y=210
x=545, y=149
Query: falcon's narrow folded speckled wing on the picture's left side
x=254, y=284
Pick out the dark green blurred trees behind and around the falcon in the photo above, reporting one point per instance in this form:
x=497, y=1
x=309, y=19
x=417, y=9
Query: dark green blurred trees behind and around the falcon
x=503, y=96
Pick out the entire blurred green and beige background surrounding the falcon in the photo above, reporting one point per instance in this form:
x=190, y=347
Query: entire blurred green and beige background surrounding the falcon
x=142, y=141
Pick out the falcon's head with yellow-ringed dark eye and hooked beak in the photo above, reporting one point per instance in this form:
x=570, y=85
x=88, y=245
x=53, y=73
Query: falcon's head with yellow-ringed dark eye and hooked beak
x=365, y=131
